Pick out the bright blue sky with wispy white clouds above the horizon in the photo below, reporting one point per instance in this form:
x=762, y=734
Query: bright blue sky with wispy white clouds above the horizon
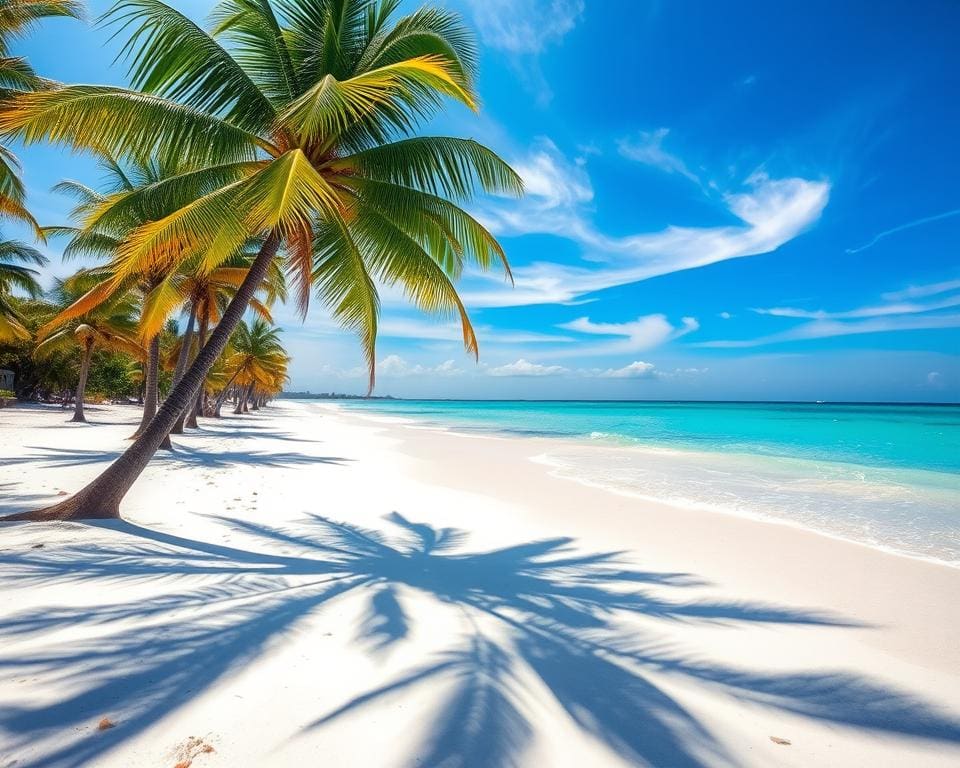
x=724, y=201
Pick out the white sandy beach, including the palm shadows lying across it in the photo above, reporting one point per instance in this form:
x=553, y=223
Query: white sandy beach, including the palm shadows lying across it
x=309, y=587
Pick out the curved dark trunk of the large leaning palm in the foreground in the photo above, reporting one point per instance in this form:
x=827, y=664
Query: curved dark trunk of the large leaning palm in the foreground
x=101, y=498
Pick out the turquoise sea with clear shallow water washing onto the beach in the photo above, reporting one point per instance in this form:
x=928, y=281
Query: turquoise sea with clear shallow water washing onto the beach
x=883, y=475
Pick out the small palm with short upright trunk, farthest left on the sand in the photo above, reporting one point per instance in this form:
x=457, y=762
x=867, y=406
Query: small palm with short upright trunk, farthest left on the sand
x=110, y=325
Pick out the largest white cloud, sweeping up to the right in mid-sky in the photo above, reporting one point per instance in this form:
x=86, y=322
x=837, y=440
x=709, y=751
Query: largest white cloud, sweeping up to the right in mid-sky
x=772, y=212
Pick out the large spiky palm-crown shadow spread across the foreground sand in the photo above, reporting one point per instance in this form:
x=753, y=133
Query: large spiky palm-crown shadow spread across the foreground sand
x=540, y=610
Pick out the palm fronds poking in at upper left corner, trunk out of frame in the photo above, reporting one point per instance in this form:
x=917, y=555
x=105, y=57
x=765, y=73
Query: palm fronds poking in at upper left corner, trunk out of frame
x=17, y=17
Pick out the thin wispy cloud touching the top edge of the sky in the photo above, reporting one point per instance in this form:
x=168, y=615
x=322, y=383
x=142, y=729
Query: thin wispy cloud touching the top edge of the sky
x=524, y=26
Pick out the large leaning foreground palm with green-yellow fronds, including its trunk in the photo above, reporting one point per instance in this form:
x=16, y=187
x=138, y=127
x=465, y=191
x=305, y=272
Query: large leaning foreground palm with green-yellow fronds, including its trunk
x=303, y=127
